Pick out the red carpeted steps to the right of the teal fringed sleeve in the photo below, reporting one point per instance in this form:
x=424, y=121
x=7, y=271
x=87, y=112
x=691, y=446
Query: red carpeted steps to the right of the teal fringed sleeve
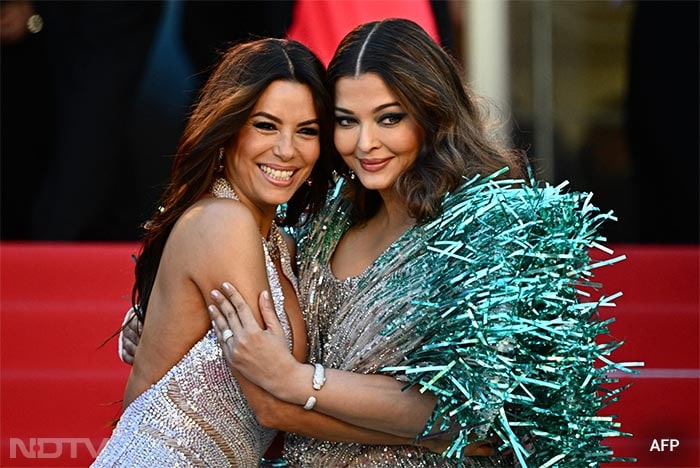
x=658, y=318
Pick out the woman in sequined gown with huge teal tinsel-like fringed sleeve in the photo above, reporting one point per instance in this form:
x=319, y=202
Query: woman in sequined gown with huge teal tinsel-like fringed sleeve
x=441, y=286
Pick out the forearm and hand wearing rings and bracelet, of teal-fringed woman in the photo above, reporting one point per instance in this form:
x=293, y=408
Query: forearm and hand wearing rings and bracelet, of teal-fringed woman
x=368, y=400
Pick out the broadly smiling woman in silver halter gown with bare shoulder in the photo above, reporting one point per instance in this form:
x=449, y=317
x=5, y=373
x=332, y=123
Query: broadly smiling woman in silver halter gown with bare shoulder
x=251, y=144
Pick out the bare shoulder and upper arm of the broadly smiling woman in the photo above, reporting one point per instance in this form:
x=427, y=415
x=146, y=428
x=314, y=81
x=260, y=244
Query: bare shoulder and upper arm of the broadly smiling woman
x=190, y=262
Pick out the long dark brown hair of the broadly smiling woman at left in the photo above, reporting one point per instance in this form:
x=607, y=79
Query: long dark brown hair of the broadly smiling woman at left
x=223, y=107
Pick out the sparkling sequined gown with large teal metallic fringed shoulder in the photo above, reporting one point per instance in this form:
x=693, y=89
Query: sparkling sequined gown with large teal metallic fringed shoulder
x=467, y=306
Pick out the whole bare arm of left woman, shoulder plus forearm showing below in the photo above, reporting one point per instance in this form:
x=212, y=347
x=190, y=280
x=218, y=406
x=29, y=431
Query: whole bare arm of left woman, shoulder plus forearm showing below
x=211, y=242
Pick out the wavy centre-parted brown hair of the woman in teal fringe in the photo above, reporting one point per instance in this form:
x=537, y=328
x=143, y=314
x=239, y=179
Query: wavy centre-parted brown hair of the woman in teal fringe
x=428, y=84
